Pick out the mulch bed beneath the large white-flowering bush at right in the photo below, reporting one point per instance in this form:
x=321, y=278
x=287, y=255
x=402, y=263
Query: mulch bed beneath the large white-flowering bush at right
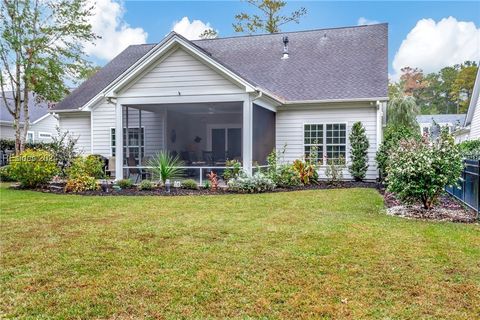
x=447, y=209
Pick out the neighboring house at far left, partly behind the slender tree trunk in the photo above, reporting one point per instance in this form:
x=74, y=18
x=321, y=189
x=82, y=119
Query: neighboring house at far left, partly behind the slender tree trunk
x=43, y=124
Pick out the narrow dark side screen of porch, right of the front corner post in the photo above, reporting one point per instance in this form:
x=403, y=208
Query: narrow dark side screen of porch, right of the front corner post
x=263, y=134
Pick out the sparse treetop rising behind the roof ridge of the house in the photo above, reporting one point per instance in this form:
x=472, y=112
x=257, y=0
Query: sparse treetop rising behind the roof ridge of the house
x=269, y=19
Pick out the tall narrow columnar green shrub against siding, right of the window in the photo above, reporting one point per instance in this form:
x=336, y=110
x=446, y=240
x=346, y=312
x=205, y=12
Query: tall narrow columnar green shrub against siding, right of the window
x=358, y=152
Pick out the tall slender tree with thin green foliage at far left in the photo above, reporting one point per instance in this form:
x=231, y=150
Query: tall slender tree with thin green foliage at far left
x=40, y=51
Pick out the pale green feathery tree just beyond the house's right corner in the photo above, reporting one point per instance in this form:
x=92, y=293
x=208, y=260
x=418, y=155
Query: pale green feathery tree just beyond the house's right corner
x=402, y=111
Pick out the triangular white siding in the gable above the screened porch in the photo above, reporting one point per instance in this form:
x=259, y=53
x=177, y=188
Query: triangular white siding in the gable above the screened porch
x=180, y=73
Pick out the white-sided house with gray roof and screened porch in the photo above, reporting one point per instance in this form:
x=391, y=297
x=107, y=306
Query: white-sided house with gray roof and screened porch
x=234, y=98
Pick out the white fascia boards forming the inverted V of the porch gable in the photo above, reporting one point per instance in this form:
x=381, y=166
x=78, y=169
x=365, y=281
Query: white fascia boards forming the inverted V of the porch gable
x=140, y=66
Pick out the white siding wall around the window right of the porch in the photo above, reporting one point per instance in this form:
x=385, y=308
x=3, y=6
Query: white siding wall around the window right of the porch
x=290, y=129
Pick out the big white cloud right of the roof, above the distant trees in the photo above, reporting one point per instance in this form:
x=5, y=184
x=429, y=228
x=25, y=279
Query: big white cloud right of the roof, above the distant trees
x=433, y=45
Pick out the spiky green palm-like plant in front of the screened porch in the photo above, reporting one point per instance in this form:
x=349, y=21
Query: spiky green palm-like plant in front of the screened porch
x=165, y=166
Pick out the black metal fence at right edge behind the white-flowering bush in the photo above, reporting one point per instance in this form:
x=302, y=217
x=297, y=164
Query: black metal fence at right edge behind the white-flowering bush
x=468, y=187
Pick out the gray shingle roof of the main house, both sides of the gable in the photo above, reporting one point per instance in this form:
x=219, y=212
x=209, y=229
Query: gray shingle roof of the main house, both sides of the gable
x=325, y=64
